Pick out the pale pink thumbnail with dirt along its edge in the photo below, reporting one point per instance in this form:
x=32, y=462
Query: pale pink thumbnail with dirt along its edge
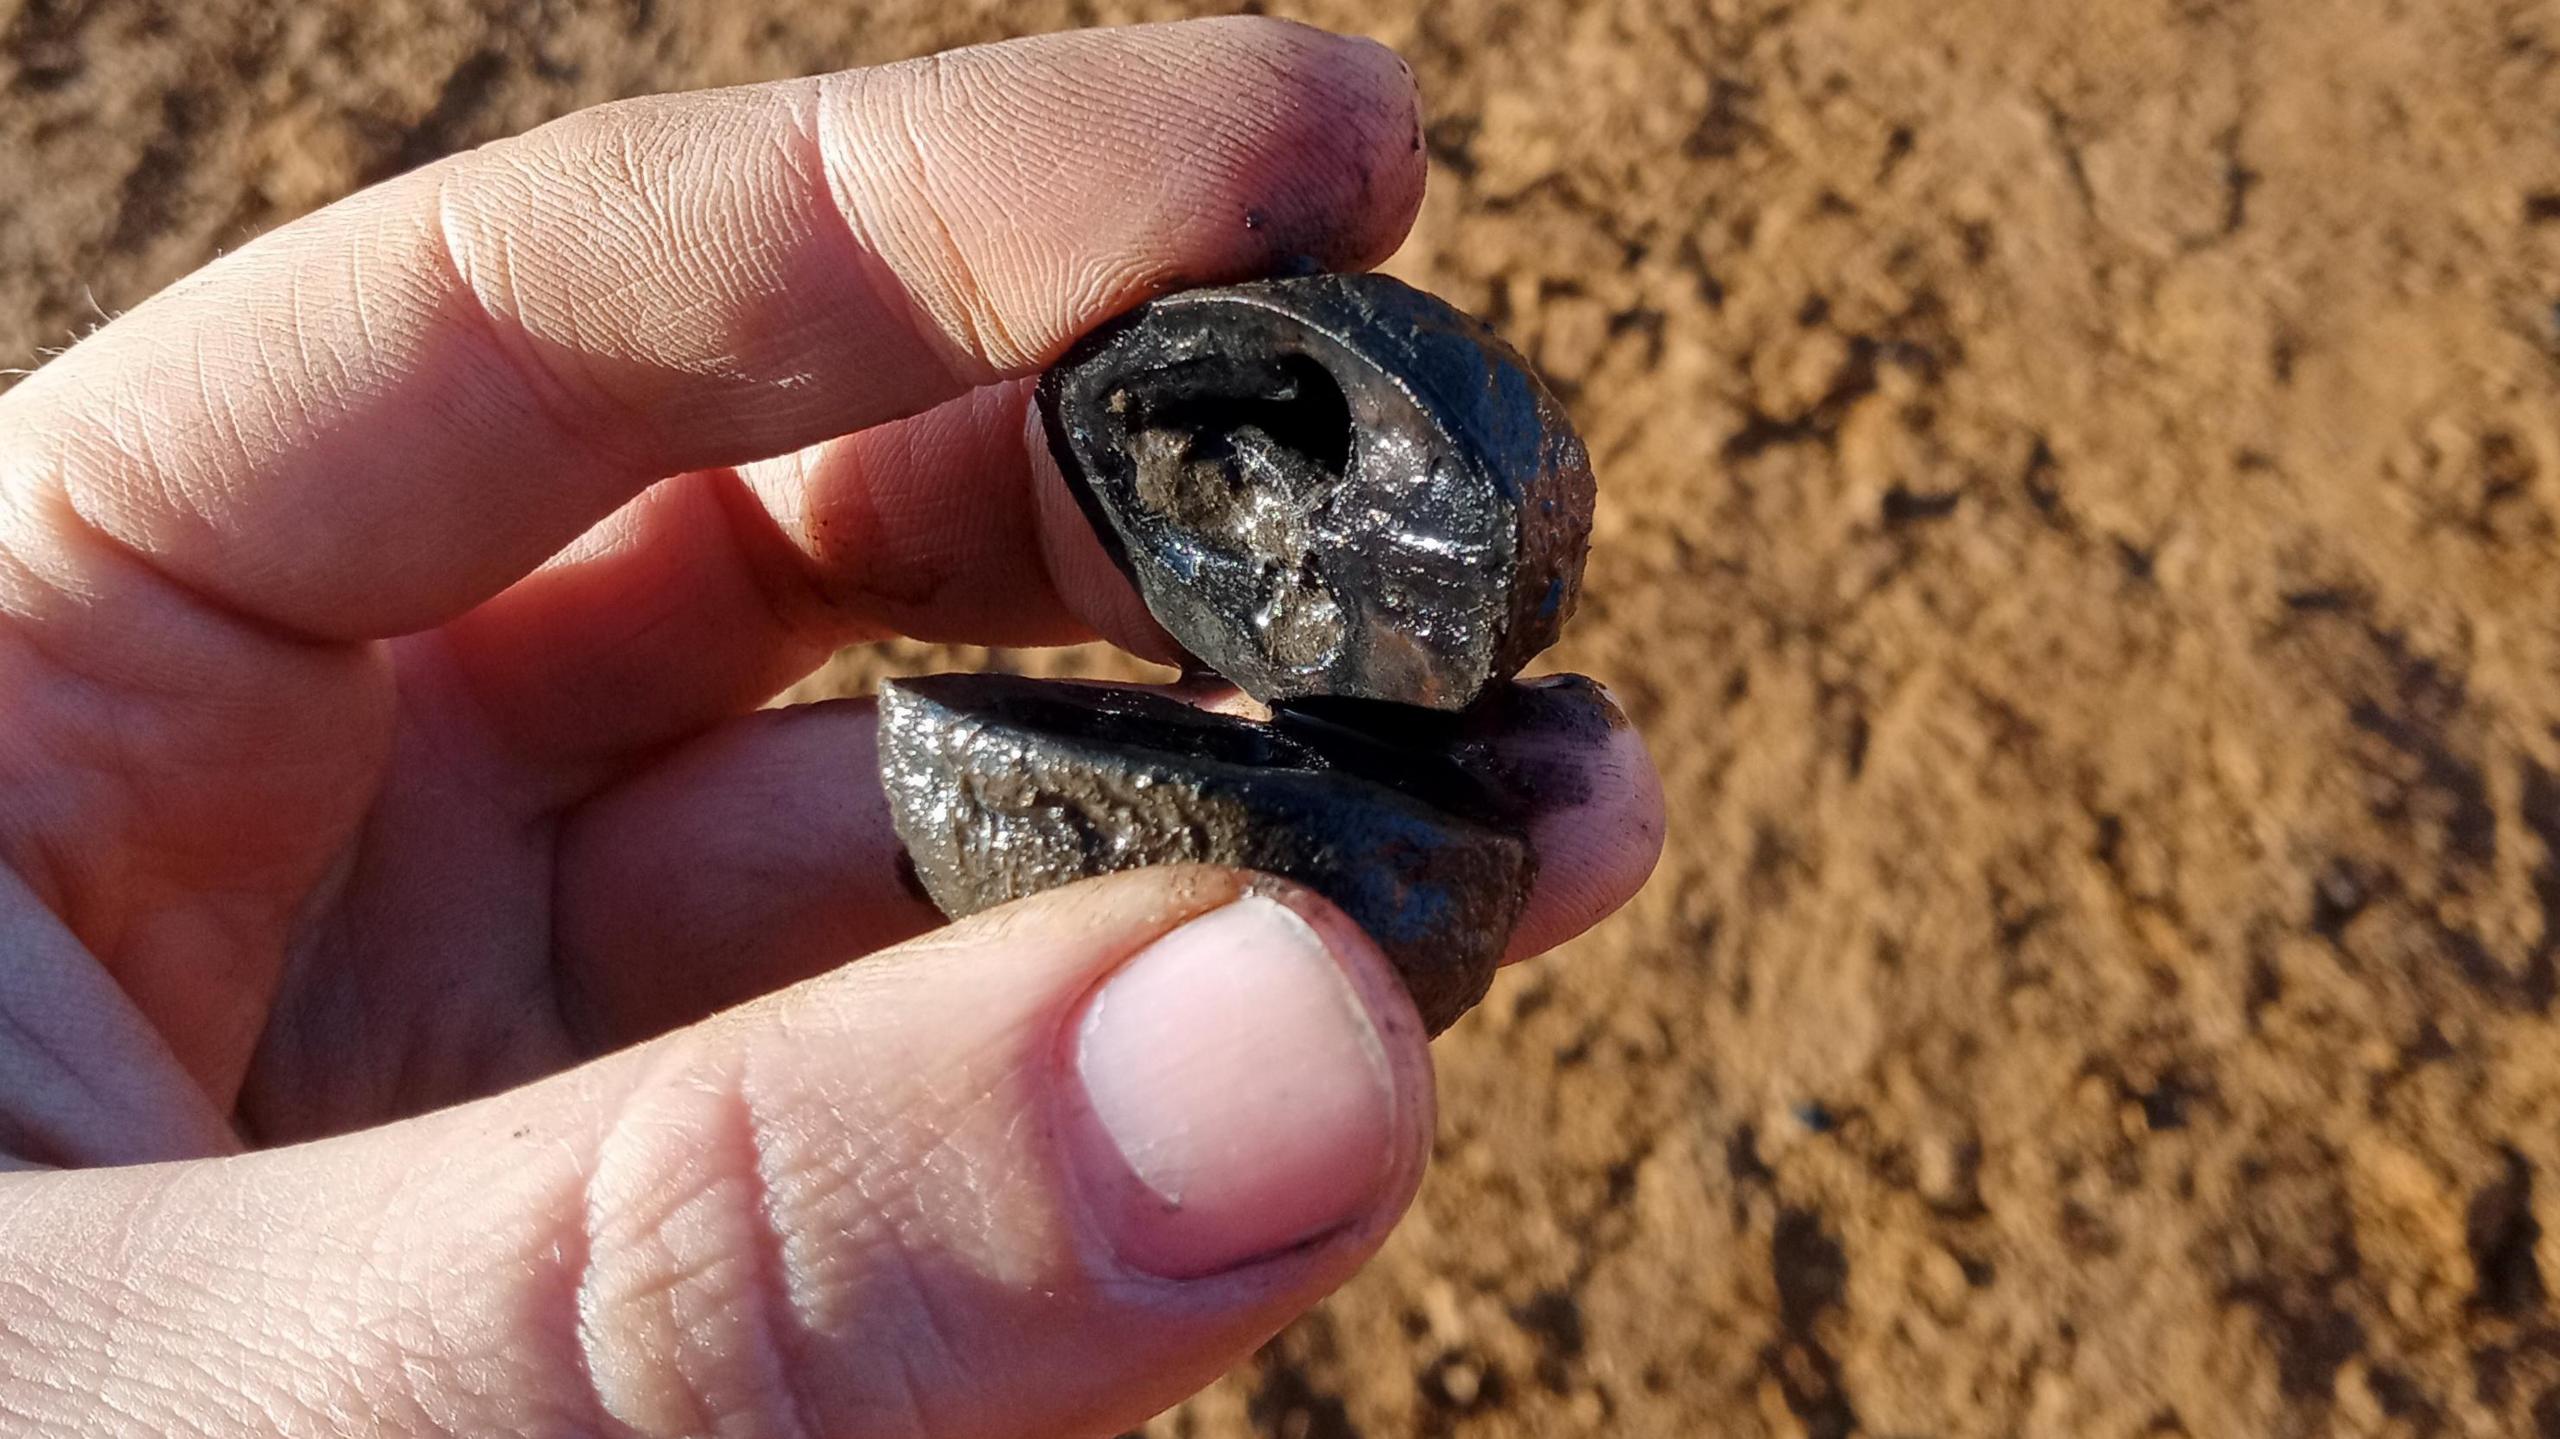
x=1240, y=1095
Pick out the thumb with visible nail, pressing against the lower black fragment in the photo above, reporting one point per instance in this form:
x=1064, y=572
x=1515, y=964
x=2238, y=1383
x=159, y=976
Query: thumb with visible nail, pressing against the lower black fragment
x=1038, y=1174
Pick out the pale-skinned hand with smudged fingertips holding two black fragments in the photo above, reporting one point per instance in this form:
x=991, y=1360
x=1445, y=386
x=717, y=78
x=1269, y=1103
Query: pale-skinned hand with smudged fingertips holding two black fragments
x=442, y=1002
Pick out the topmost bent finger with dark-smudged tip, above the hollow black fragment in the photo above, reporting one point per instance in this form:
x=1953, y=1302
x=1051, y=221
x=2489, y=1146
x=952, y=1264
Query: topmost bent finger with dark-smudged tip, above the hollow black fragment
x=380, y=416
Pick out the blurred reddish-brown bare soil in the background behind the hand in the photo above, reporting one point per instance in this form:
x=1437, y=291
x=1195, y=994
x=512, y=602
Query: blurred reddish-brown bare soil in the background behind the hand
x=2080, y=526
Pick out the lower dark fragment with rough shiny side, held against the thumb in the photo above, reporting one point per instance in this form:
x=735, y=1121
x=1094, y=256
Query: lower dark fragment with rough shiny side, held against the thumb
x=1007, y=787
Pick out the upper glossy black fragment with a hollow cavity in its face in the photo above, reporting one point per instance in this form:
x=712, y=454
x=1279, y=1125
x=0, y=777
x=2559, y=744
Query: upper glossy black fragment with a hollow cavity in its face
x=1327, y=488
